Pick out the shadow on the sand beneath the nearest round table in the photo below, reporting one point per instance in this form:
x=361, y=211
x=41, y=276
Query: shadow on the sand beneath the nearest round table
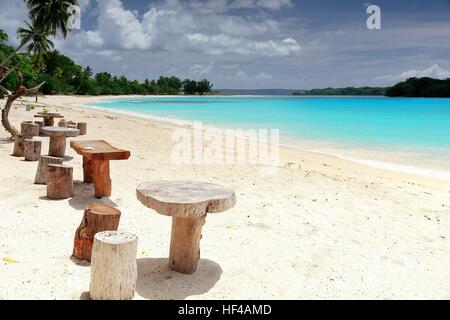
x=157, y=281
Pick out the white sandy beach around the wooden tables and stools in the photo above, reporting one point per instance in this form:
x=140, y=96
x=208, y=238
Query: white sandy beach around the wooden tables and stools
x=321, y=227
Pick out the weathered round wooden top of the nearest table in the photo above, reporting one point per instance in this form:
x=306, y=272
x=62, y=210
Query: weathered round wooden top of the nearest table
x=185, y=199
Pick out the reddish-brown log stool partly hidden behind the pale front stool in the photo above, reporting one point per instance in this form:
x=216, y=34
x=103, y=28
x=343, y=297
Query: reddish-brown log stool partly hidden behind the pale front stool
x=96, y=218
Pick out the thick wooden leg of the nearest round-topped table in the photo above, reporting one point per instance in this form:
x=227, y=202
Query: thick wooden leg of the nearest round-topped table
x=185, y=244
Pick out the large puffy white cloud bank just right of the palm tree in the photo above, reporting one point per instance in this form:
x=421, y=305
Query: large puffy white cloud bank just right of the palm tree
x=175, y=28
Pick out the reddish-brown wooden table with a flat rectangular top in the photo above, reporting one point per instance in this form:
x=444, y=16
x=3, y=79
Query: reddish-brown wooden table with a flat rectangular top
x=96, y=156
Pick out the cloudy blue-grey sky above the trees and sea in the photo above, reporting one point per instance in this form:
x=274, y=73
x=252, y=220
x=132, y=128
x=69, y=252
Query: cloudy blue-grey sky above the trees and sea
x=257, y=44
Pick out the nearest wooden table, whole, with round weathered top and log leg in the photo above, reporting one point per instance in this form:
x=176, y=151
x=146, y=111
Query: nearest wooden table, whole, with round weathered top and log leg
x=187, y=203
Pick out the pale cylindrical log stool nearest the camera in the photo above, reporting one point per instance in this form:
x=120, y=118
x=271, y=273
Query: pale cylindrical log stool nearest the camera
x=113, y=266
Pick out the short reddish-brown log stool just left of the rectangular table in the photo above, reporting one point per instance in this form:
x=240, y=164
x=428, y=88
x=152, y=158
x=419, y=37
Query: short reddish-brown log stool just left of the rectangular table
x=59, y=181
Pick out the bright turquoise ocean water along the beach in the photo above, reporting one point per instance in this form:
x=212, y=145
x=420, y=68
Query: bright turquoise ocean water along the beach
x=376, y=130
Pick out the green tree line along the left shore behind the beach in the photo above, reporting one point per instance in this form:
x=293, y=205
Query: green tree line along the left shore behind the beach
x=63, y=76
